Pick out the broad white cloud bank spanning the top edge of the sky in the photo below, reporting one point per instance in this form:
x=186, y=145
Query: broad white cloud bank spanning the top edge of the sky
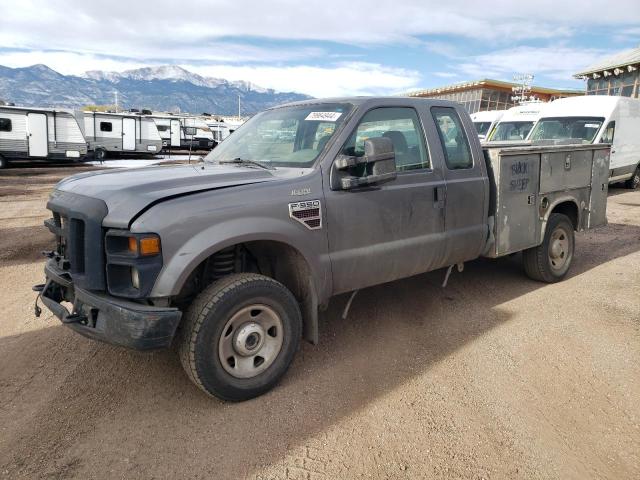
x=166, y=27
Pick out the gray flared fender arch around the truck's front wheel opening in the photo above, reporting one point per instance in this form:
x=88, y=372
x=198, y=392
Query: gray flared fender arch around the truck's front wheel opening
x=183, y=261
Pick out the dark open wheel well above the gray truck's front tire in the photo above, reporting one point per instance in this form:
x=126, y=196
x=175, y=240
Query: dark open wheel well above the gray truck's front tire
x=273, y=259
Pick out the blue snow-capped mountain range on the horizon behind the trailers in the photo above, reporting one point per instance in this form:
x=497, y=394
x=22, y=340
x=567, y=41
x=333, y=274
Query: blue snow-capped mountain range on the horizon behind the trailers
x=163, y=88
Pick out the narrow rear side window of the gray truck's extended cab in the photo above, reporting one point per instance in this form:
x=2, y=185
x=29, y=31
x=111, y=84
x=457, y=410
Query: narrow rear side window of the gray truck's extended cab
x=455, y=145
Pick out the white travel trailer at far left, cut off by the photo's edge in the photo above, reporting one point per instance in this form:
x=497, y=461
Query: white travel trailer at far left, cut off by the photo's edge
x=39, y=134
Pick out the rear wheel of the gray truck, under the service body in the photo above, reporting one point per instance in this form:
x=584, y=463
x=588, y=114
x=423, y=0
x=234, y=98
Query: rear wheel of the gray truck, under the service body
x=550, y=261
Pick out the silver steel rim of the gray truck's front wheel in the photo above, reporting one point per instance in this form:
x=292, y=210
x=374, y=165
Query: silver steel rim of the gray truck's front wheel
x=250, y=341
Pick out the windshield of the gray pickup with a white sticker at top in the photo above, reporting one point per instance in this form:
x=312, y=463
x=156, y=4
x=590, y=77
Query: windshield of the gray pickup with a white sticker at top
x=283, y=137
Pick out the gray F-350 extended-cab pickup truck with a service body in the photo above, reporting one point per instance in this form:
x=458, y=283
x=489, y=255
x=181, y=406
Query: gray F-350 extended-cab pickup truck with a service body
x=232, y=258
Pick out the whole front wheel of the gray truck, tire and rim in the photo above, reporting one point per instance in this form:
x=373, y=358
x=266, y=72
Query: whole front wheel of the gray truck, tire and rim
x=220, y=346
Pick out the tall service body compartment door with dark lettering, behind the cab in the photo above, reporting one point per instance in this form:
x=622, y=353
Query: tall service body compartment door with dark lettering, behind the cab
x=517, y=216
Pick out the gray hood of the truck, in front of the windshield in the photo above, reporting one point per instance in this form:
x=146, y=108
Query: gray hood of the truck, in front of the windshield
x=127, y=192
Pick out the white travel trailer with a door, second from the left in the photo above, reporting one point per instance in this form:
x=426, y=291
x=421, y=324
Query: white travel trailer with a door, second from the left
x=109, y=133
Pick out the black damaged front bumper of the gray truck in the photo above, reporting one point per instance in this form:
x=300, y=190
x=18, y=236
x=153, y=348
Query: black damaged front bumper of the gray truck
x=106, y=318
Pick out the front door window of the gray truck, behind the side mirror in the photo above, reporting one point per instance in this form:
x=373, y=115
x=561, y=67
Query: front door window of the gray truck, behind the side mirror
x=402, y=127
